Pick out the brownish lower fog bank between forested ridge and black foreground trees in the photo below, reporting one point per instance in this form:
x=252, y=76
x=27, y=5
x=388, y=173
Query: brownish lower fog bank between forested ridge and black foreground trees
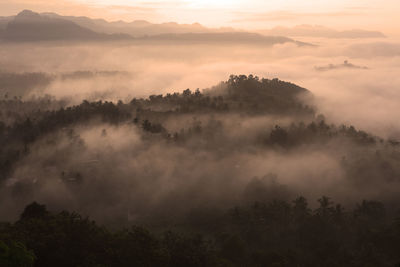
x=117, y=175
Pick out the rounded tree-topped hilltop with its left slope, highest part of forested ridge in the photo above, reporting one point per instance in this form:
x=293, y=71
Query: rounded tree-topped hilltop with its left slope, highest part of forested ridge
x=243, y=94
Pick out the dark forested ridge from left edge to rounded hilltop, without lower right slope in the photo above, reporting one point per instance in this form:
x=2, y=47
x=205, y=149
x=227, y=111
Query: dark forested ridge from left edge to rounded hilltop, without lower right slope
x=24, y=122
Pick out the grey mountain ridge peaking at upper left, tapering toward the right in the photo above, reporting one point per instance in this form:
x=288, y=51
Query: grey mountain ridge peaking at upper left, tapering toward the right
x=32, y=26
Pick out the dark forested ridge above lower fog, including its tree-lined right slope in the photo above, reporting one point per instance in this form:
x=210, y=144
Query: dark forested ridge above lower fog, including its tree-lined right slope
x=24, y=122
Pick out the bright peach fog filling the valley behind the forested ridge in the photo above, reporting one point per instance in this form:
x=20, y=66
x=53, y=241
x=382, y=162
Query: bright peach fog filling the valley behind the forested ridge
x=366, y=98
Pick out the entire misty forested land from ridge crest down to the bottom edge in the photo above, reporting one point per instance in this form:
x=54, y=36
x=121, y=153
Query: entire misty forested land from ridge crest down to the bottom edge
x=218, y=177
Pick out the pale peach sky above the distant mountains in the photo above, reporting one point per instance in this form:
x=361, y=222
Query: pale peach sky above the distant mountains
x=246, y=14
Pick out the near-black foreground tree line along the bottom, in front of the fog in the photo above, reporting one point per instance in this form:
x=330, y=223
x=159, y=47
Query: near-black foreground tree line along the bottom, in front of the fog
x=275, y=233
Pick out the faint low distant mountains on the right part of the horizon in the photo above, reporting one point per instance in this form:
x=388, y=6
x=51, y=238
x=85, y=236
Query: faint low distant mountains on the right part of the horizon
x=322, y=32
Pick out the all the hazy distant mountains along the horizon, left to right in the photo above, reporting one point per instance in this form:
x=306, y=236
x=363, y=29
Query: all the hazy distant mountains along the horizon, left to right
x=30, y=26
